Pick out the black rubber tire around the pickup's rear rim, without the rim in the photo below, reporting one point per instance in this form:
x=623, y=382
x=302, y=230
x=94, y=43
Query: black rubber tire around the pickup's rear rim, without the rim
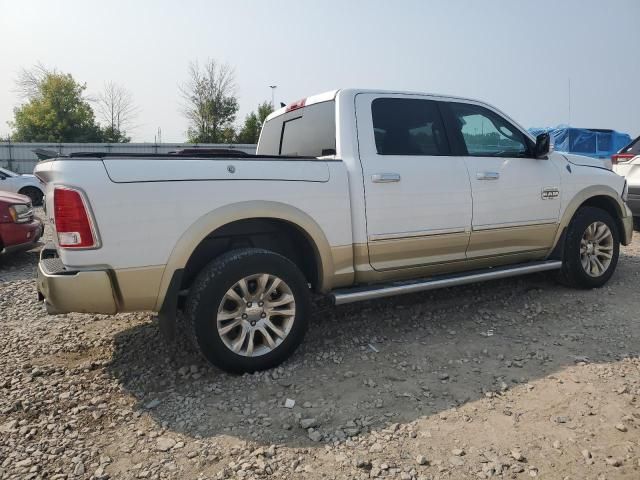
x=209, y=289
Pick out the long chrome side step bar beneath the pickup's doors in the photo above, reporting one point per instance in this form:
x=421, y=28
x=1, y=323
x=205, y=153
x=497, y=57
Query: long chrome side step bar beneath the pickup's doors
x=358, y=294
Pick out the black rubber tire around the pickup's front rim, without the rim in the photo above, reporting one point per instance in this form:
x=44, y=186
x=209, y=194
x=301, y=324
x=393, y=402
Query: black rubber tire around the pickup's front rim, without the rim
x=573, y=274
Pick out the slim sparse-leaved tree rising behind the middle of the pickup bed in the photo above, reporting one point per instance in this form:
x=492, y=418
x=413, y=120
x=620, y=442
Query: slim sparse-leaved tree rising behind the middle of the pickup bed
x=210, y=103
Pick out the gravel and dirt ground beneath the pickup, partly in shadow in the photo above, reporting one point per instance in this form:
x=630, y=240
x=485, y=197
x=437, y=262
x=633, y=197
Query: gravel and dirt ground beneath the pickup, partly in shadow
x=513, y=379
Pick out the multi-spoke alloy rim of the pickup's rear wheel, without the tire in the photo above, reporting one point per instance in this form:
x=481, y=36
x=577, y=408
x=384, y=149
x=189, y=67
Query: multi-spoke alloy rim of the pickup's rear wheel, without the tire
x=256, y=315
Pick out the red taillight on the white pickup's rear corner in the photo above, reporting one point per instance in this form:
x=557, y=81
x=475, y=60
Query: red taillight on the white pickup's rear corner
x=73, y=224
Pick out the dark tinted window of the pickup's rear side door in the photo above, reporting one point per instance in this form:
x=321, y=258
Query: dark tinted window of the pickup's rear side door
x=408, y=126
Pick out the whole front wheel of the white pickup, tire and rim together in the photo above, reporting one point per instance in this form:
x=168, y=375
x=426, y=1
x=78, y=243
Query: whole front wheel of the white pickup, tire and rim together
x=591, y=250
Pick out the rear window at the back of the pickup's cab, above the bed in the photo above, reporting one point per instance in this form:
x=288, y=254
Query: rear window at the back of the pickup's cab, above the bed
x=309, y=131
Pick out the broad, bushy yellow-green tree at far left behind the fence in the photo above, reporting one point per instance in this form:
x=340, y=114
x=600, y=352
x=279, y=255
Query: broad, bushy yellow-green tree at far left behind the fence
x=55, y=111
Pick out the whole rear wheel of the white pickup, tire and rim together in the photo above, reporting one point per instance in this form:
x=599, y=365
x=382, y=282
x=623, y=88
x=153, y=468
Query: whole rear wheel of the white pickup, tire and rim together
x=248, y=310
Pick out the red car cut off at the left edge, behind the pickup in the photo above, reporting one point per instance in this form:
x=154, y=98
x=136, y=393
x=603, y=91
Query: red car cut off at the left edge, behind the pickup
x=19, y=229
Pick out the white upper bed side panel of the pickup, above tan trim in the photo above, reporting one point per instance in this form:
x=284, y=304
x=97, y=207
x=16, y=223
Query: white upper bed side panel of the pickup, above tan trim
x=141, y=217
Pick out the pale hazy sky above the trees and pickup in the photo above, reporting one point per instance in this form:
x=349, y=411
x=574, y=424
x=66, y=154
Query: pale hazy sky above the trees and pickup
x=543, y=62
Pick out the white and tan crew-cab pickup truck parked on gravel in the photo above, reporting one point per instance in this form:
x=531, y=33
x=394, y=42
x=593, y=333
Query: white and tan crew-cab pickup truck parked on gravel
x=353, y=194
